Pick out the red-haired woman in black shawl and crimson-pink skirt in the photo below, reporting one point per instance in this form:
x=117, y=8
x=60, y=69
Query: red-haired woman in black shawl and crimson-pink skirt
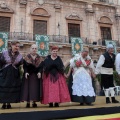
x=55, y=88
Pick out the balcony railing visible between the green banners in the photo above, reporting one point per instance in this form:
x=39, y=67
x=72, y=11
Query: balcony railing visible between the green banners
x=53, y=38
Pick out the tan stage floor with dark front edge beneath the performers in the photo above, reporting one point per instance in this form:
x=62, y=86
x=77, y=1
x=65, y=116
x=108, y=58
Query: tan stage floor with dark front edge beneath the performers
x=65, y=111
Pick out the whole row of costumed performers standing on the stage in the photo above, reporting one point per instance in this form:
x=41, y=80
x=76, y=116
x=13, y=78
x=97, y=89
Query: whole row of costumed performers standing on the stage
x=44, y=79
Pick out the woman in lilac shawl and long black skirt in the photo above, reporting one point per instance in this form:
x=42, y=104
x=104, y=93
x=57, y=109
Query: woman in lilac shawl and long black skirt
x=10, y=82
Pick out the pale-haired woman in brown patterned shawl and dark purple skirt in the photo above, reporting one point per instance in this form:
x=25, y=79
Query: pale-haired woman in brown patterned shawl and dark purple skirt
x=32, y=82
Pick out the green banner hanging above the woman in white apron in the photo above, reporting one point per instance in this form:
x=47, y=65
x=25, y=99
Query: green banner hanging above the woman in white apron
x=77, y=45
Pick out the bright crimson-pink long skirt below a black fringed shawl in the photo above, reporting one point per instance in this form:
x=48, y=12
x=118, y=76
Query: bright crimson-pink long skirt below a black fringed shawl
x=55, y=91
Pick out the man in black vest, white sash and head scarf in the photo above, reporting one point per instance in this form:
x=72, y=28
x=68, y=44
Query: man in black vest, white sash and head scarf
x=105, y=67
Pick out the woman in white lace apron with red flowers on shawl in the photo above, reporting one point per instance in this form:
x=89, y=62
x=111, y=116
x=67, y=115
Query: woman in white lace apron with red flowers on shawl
x=82, y=69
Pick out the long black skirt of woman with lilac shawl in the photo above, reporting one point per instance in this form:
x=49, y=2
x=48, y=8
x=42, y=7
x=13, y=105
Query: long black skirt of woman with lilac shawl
x=10, y=84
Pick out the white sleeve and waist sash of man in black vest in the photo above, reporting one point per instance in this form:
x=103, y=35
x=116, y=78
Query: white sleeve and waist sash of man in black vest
x=102, y=70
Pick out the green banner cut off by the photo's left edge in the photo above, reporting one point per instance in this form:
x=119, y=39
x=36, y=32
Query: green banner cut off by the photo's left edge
x=3, y=41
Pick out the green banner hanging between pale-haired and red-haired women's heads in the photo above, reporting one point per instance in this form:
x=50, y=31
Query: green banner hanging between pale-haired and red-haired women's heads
x=42, y=42
